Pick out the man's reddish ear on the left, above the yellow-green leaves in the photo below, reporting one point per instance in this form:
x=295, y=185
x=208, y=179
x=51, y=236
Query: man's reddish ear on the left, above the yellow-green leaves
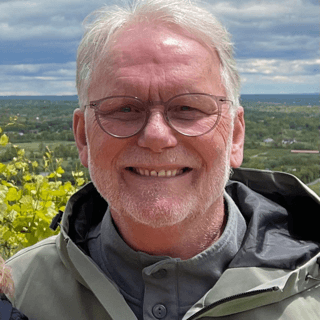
x=79, y=132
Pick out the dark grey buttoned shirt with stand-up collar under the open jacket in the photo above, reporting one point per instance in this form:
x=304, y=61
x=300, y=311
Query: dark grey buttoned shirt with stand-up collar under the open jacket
x=160, y=286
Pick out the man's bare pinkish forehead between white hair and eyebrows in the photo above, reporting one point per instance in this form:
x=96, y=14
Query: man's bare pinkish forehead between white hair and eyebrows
x=155, y=54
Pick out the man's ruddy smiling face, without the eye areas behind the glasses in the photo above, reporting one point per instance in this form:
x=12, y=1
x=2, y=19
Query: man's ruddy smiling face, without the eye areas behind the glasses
x=155, y=63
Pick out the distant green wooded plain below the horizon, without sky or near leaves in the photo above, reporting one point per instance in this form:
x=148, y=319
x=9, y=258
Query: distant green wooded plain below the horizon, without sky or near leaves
x=275, y=125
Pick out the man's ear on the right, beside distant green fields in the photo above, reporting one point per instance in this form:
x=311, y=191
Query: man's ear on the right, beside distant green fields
x=236, y=156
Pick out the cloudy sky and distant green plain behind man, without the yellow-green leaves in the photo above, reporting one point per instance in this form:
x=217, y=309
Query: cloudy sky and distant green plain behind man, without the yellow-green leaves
x=276, y=48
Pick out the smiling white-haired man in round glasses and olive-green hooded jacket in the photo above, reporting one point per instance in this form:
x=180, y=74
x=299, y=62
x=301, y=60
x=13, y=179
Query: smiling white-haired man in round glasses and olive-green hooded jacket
x=160, y=233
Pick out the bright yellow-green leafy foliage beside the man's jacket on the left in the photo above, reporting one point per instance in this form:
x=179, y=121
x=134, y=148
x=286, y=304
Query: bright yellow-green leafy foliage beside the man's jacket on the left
x=29, y=200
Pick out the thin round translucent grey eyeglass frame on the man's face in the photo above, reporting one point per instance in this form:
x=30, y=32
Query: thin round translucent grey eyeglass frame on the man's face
x=218, y=99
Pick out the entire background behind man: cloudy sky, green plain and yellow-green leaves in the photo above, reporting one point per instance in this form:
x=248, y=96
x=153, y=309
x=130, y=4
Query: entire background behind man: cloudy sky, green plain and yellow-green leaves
x=277, y=53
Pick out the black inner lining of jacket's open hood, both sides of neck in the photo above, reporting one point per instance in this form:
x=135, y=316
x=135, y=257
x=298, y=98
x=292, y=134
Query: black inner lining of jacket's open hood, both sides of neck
x=277, y=207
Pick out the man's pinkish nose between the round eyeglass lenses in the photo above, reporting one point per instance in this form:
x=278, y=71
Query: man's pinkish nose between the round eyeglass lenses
x=157, y=134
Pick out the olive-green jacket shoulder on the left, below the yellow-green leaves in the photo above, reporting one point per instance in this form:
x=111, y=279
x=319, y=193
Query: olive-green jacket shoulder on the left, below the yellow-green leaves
x=46, y=289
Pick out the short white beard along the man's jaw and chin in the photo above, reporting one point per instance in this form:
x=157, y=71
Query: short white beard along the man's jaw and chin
x=159, y=211
